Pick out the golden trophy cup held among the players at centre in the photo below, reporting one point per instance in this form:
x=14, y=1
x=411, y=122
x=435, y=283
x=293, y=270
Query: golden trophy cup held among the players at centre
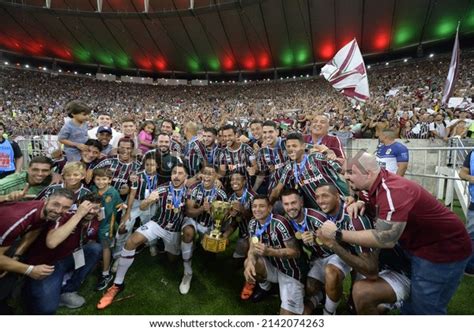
x=213, y=242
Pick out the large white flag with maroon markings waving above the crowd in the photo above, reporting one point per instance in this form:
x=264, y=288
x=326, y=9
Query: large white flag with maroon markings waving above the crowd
x=346, y=72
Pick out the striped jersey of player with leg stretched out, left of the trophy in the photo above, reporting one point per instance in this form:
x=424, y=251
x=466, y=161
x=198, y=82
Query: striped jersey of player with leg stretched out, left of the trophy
x=169, y=199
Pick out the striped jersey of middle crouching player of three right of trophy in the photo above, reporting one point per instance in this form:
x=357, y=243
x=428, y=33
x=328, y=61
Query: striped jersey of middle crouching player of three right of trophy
x=312, y=221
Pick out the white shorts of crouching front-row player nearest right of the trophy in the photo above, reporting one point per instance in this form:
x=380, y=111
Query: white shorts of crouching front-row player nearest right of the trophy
x=291, y=290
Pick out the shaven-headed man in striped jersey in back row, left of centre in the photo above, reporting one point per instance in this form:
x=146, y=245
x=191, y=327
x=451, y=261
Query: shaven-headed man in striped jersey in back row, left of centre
x=194, y=152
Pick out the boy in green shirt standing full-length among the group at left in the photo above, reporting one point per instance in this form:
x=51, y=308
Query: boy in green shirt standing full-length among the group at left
x=111, y=204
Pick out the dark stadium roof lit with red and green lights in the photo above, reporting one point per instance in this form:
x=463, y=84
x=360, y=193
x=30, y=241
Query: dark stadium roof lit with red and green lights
x=222, y=35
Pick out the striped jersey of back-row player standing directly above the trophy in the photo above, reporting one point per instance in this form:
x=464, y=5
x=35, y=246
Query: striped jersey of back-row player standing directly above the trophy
x=237, y=160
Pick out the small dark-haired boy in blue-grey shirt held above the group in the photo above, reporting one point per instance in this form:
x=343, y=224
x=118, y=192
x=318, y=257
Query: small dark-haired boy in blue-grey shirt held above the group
x=73, y=134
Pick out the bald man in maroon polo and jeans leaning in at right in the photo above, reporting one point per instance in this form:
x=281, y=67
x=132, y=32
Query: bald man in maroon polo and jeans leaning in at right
x=432, y=235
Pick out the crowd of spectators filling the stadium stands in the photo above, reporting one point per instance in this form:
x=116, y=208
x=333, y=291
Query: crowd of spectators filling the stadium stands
x=405, y=96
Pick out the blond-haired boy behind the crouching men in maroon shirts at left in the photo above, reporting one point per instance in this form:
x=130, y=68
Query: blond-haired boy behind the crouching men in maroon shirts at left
x=73, y=174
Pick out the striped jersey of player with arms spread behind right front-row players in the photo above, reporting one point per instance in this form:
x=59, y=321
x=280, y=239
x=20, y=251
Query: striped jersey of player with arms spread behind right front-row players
x=314, y=170
